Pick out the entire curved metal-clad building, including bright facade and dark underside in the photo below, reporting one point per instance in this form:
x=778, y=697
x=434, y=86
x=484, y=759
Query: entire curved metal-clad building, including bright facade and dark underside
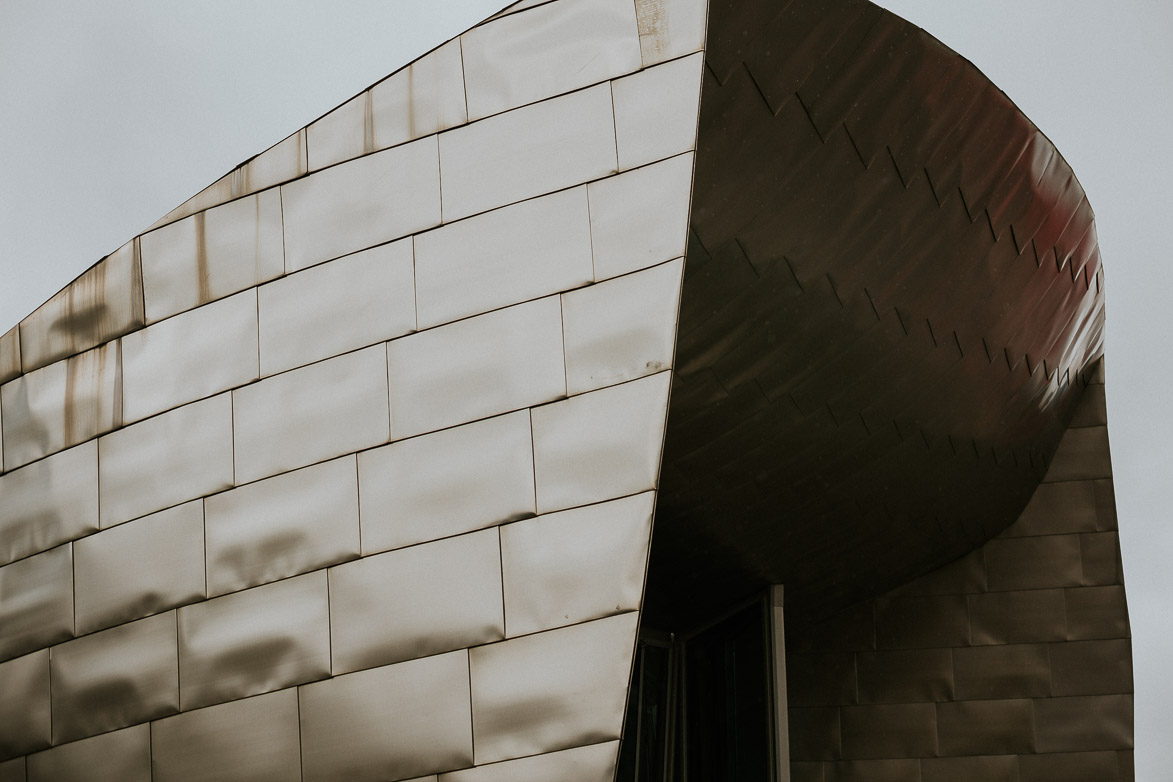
x=348, y=467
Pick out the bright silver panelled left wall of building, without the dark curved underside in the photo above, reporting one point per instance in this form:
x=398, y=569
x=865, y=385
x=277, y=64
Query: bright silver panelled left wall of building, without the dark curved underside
x=347, y=468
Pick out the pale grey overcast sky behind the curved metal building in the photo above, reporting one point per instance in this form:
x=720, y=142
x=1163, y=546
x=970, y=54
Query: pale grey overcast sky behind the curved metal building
x=117, y=112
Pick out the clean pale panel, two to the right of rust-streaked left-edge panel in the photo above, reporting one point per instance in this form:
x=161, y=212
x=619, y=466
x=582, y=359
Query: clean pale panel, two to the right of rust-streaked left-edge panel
x=347, y=304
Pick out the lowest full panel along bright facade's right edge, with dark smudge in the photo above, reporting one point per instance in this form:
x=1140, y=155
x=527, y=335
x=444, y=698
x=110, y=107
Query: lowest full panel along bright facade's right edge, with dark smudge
x=552, y=691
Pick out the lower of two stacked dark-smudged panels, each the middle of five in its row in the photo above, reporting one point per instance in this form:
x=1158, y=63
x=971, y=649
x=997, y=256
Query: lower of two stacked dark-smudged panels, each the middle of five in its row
x=255, y=642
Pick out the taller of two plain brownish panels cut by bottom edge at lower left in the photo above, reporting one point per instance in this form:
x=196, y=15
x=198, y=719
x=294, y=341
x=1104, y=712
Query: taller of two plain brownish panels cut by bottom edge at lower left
x=253, y=740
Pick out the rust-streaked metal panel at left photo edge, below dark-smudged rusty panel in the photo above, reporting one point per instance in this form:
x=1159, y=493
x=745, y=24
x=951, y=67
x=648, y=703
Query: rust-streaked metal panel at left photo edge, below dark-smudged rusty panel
x=62, y=405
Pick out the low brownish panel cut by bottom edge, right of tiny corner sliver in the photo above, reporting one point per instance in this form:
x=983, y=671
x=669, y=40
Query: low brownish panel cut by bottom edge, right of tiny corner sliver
x=119, y=757
